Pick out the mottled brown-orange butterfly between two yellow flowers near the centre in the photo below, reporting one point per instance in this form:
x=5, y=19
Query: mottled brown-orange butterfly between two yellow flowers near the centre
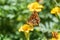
x=34, y=19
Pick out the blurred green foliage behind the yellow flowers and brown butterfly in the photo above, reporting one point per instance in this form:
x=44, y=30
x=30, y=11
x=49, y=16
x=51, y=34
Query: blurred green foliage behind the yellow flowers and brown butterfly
x=14, y=13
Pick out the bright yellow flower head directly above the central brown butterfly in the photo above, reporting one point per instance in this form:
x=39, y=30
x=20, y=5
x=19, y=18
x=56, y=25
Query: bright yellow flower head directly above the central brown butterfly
x=35, y=7
